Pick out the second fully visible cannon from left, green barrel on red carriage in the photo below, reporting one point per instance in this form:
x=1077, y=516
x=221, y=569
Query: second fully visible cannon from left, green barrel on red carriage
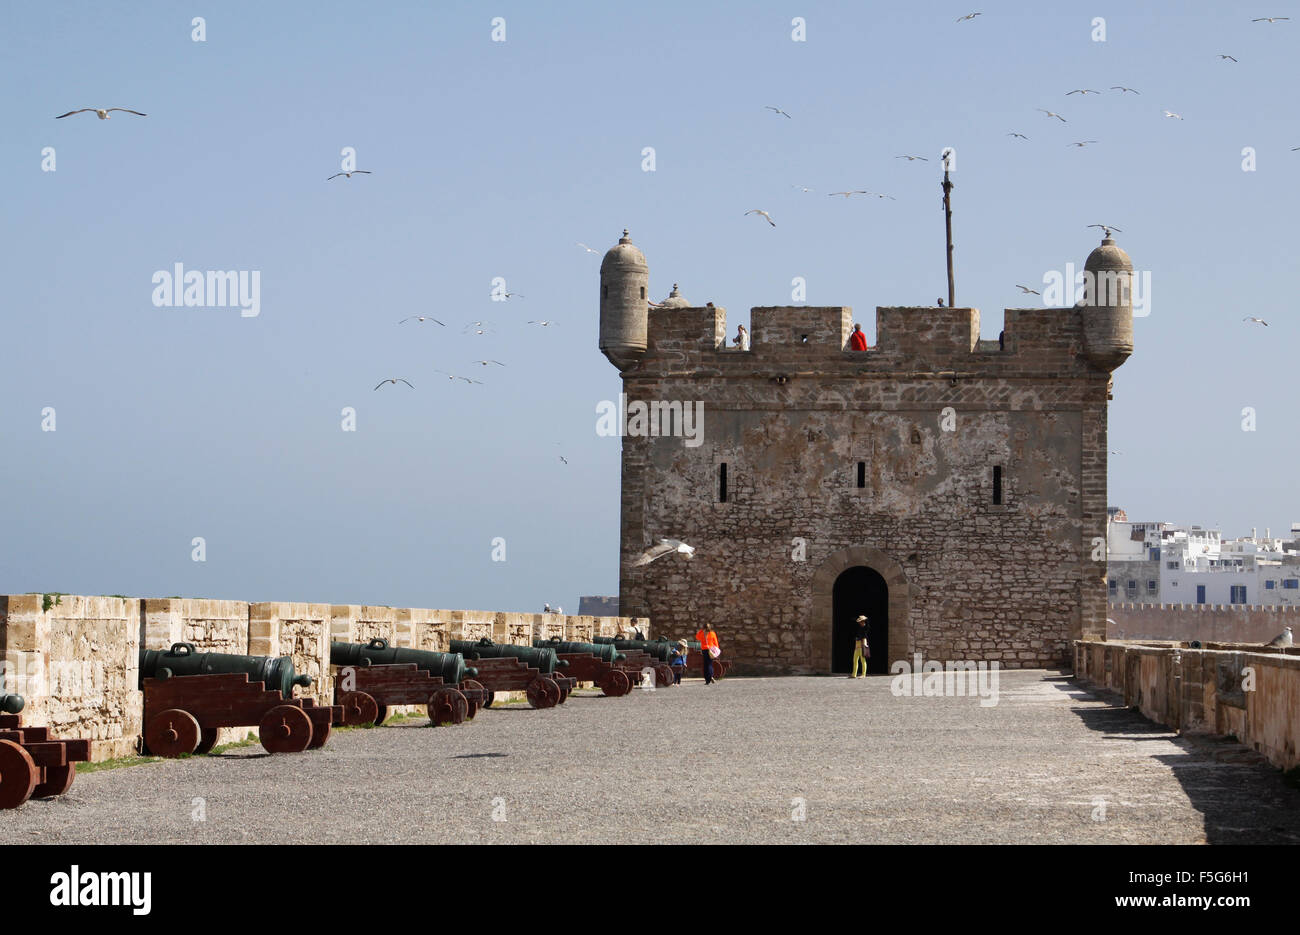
x=376, y=677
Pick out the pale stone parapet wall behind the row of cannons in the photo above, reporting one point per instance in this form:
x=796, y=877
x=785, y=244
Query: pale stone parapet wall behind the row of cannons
x=77, y=663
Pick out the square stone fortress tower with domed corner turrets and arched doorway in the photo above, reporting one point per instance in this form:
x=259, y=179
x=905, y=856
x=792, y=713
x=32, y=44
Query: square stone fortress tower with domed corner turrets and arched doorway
x=954, y=490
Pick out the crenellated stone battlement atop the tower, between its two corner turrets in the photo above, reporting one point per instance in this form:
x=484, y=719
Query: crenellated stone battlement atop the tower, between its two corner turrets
x=908, y=339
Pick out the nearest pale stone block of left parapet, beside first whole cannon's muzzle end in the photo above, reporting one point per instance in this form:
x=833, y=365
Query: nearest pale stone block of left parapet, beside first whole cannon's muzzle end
x=77, y=666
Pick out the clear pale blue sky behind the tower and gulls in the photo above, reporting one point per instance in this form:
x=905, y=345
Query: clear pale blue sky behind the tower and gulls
x=495, y=159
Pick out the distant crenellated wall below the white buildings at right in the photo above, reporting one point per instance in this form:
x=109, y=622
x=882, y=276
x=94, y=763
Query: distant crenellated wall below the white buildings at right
x=1204, y=622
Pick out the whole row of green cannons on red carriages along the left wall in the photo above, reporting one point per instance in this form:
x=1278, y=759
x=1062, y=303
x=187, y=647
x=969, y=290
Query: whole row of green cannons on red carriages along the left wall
x=190, y=696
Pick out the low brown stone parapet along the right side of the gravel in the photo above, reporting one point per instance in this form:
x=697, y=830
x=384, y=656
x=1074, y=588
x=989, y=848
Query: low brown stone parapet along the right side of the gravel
x=1238, y=691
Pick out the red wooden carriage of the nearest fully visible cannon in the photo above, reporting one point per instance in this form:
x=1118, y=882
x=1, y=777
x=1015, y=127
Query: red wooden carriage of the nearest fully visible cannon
x=183, y=715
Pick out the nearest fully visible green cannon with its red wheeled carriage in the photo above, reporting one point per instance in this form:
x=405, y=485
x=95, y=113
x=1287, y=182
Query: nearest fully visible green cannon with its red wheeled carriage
x=189, y=696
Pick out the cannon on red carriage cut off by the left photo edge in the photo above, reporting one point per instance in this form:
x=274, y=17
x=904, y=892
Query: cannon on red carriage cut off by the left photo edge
x=34, y=765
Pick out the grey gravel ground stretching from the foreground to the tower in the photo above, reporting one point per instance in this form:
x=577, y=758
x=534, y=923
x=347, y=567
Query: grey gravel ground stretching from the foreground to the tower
x=733, y=763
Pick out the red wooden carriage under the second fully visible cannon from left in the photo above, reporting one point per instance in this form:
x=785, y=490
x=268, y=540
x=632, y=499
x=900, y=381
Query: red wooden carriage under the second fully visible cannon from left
x=372, y=690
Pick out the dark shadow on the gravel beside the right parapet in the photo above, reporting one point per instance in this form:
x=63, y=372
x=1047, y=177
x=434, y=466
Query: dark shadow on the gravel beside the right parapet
x=1240, y=803
